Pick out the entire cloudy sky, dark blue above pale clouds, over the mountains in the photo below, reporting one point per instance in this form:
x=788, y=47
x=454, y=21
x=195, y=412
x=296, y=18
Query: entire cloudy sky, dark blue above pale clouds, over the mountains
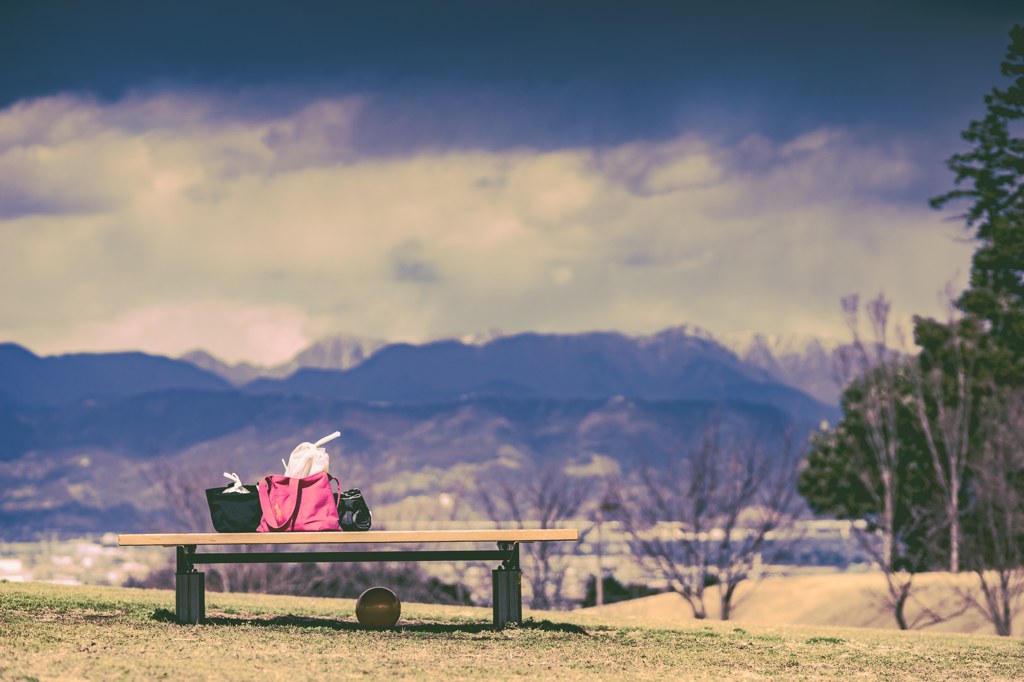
x=248, y=178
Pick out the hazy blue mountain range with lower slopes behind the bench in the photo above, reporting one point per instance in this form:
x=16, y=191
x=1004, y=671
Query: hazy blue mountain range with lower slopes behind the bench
x=102, y=442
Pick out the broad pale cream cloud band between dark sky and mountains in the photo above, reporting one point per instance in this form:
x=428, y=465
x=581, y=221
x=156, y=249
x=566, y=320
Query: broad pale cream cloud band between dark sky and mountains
x=166, y=223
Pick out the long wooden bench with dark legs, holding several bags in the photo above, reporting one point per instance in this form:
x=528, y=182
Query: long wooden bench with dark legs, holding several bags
x=190, y=587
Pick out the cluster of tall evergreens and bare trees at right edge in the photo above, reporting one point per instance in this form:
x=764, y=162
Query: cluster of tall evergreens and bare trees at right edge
x=930, y=450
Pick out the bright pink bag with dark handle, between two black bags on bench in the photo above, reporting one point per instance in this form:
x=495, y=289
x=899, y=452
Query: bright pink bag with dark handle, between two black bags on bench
x=298, y=504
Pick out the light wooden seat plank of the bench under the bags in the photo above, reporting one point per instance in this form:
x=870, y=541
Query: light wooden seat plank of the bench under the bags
x=342, y=538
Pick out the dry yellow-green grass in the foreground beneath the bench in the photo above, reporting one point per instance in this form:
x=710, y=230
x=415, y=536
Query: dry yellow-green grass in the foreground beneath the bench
x=57, y=632
